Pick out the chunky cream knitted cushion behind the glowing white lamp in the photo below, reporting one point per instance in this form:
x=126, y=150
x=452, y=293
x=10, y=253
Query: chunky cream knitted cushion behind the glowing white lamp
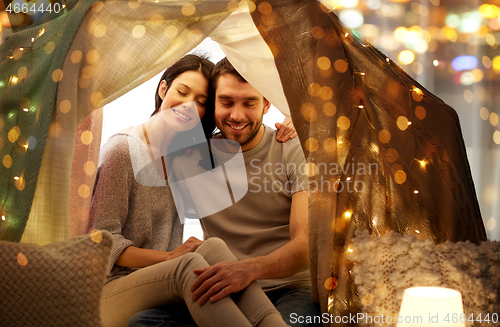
x=385, y=266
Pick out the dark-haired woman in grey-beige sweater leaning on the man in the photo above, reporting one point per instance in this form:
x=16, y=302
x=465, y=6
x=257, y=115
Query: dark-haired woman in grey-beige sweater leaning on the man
x=149, y=266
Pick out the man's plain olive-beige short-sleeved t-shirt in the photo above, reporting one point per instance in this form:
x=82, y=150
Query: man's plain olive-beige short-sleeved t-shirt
x=259, y=223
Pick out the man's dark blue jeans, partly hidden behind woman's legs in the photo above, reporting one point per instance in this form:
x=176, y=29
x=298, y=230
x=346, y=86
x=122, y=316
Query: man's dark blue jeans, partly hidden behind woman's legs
x=295, y=305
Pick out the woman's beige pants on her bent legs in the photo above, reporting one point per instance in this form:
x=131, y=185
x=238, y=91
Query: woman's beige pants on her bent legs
x=170, y=282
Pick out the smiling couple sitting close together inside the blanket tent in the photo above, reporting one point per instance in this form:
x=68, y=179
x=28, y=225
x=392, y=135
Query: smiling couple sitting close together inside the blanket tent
x=267, y=232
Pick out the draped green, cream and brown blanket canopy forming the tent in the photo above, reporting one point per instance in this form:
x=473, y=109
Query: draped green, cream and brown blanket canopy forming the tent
x=383, y=152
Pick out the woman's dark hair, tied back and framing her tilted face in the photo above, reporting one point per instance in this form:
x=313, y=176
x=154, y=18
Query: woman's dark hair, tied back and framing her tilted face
x=197, y=63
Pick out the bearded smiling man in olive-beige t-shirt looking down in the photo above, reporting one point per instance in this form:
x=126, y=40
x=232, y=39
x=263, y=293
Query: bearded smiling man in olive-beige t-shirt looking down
x=267, y=229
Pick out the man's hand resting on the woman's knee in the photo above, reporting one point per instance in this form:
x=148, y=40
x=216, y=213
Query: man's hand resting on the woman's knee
x=217, y=281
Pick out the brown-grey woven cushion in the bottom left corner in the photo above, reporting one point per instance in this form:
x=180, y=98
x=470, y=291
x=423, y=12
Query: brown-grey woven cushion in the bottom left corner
x=54, y=285
